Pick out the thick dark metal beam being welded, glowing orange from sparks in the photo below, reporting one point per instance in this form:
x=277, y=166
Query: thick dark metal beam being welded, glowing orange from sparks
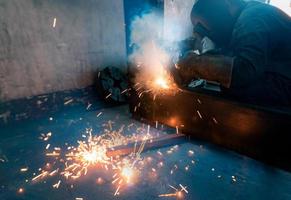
x=258, y=132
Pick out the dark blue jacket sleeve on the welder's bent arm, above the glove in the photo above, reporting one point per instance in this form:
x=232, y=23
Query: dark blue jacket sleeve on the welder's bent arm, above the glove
x=250, y=50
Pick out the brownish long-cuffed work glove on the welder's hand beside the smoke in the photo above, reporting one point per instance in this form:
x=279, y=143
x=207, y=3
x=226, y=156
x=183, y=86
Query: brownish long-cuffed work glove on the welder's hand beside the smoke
x=210, y=67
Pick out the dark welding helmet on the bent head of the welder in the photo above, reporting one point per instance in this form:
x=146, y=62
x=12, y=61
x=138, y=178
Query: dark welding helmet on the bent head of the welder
x=213, y=19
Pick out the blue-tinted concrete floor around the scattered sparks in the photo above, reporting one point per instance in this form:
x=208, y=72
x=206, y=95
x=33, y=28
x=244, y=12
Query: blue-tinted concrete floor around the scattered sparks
x=210, y=177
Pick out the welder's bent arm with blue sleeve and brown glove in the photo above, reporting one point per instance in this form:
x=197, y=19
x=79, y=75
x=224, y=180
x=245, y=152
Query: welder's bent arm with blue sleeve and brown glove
x=241, y=71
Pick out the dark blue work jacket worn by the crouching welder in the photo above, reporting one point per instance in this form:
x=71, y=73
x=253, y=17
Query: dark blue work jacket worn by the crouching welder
x=261, y=47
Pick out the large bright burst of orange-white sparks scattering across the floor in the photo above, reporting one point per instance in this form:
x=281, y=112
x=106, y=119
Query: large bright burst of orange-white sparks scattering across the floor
x=92, y=153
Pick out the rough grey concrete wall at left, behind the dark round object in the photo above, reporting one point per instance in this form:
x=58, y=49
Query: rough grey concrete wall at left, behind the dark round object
x=37, y=58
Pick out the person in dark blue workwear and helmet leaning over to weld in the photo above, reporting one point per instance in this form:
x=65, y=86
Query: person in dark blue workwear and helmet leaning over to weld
x=252, y=60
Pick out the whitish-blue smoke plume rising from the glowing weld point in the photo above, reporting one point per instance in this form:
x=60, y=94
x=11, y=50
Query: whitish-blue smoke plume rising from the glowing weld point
x=151, y=33
